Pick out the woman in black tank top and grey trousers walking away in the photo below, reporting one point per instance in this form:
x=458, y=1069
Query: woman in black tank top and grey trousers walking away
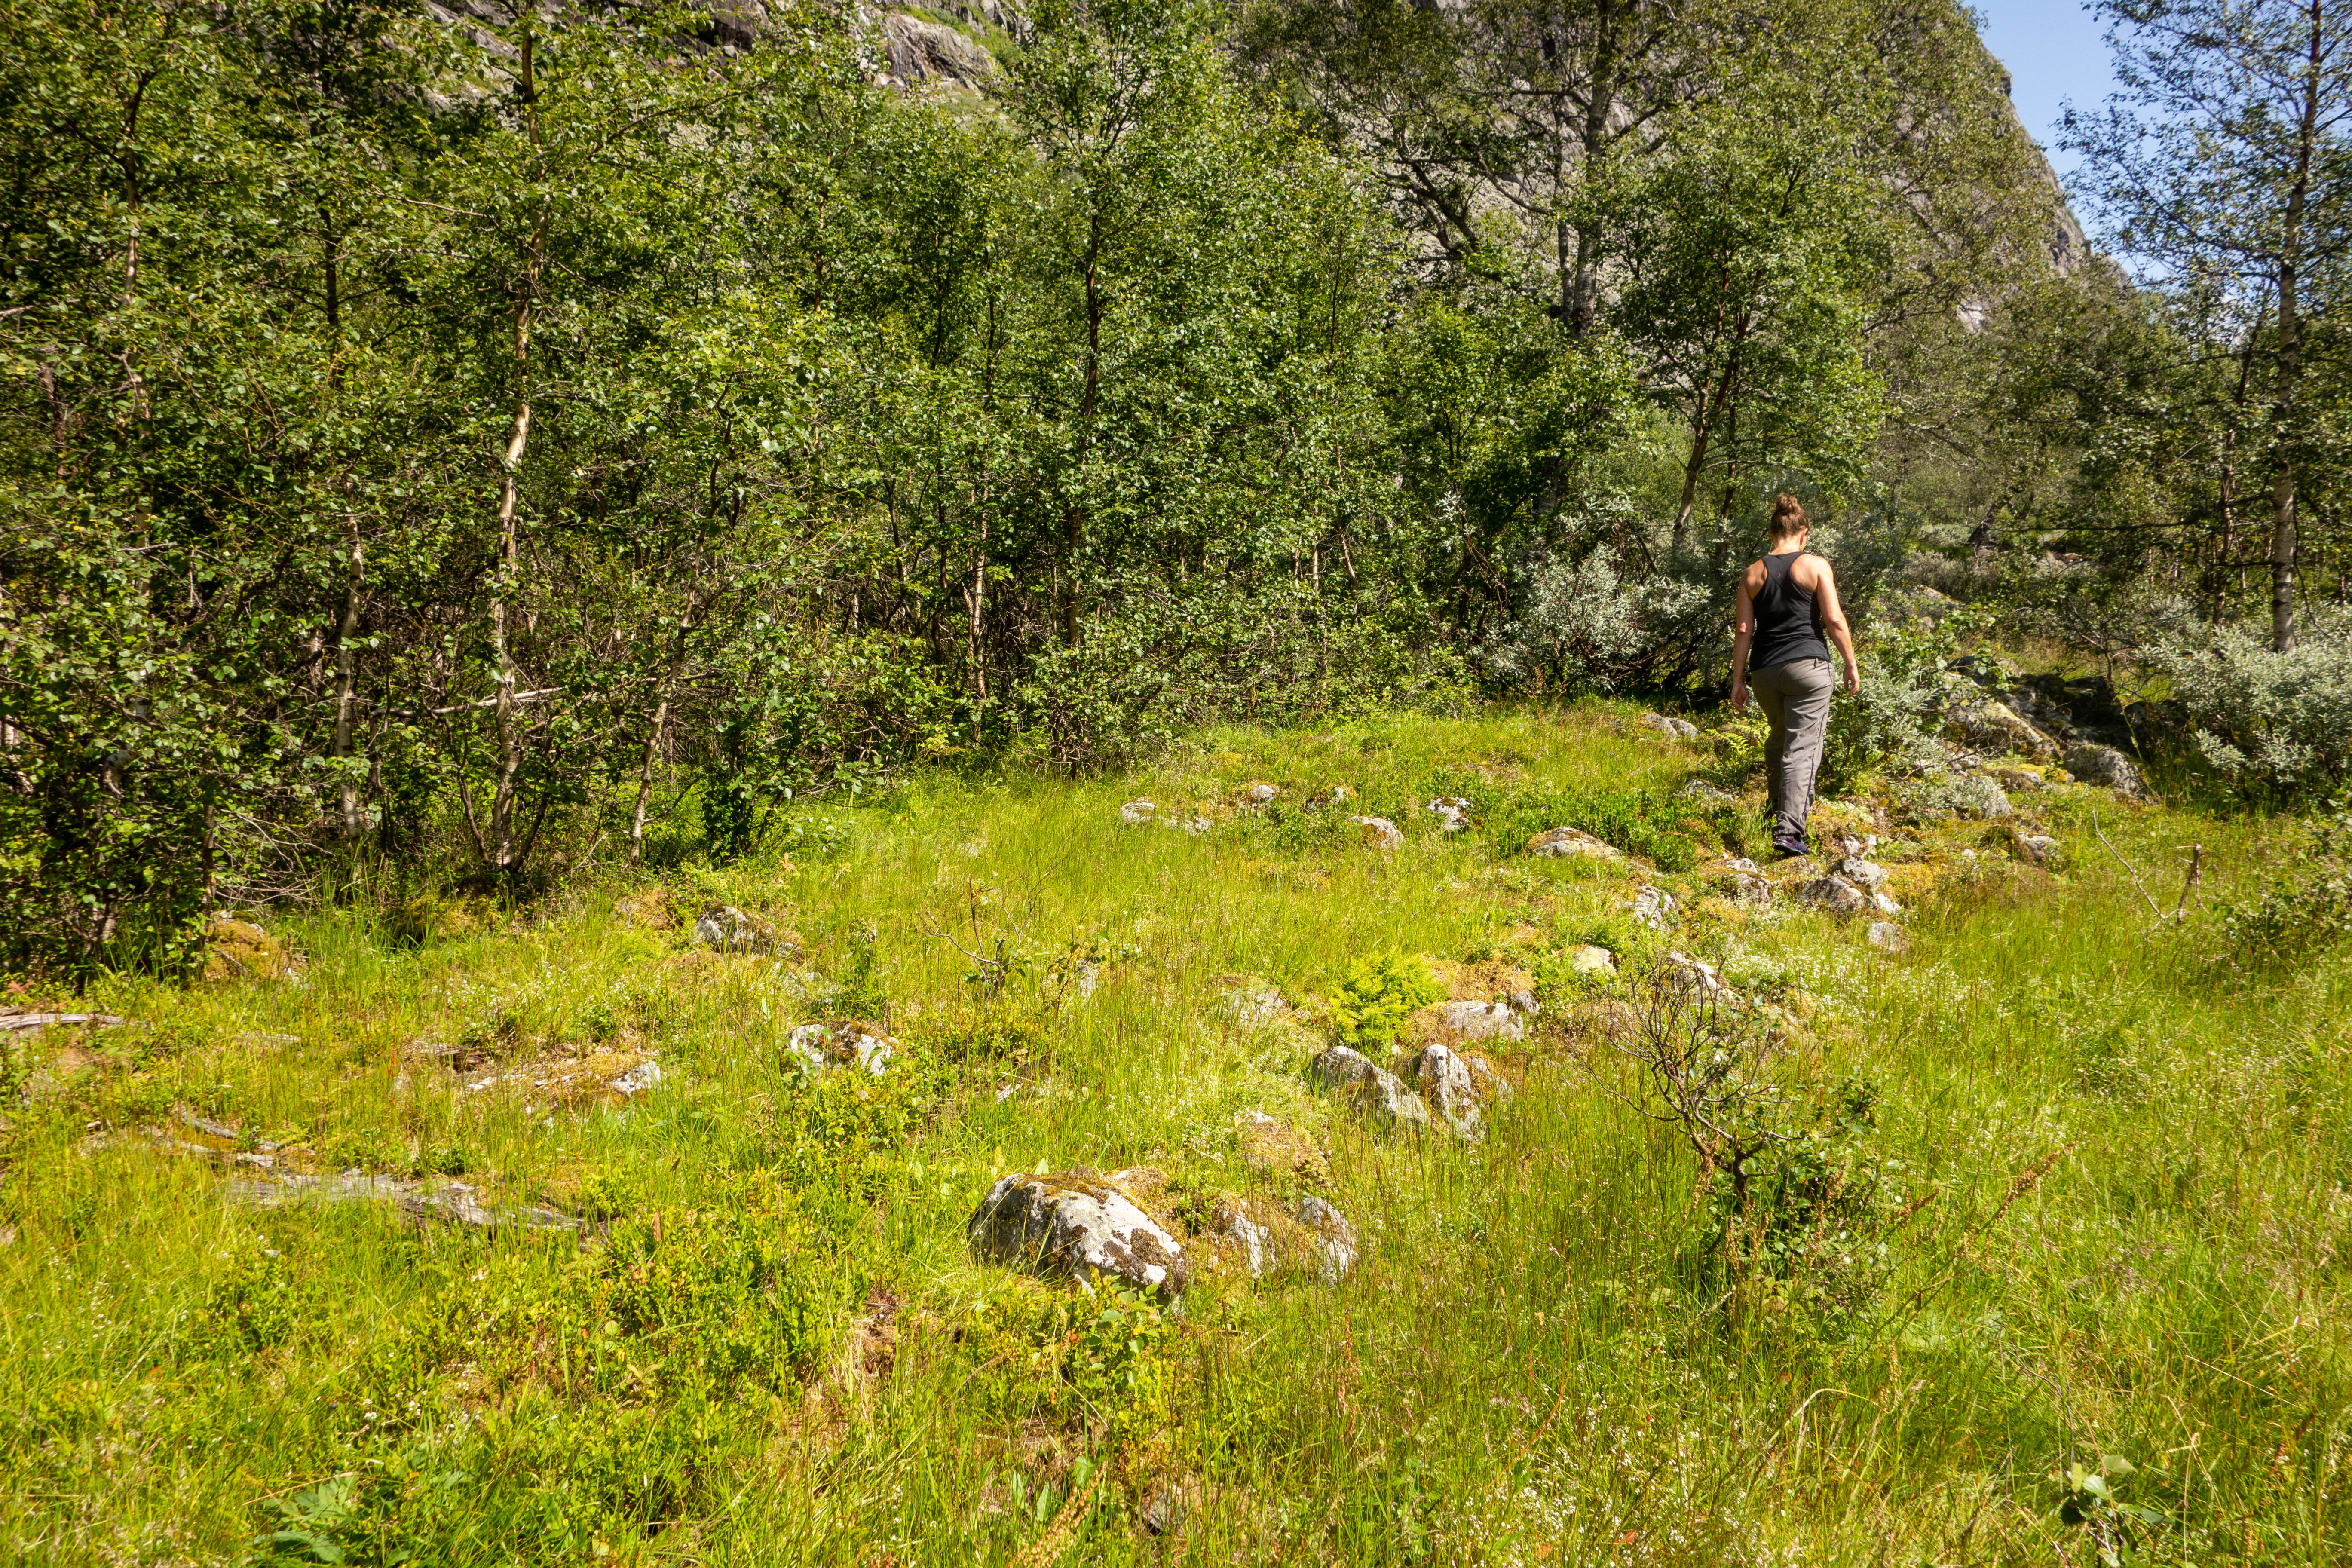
x=1789, y=605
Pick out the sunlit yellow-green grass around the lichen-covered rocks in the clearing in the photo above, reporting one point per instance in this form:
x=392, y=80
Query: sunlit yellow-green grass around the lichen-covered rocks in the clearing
x=1535, y=1362
